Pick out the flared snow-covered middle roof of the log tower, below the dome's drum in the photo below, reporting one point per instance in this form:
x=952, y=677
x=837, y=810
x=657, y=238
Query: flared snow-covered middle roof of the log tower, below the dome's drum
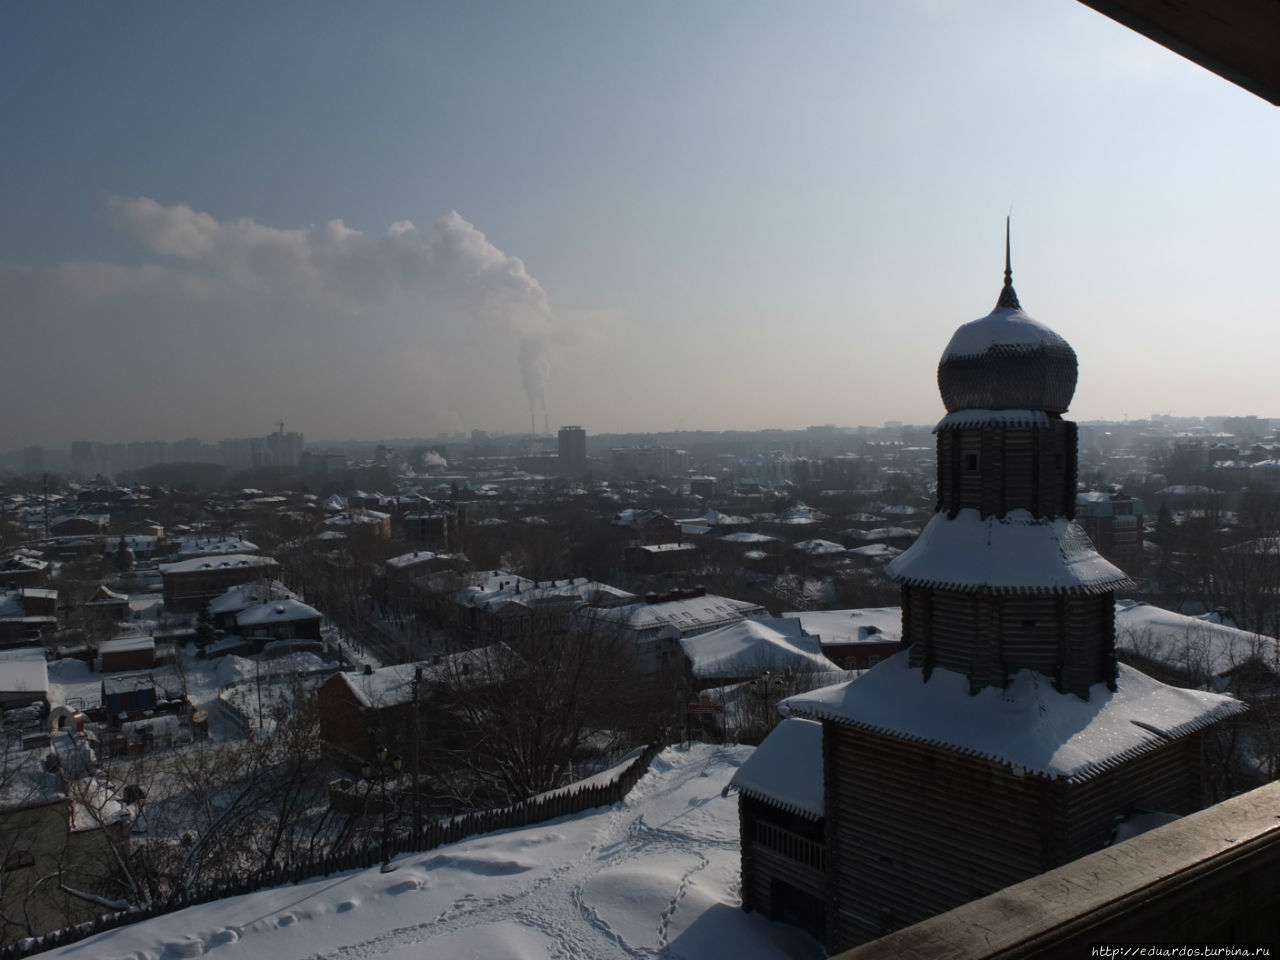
x=1018, y=554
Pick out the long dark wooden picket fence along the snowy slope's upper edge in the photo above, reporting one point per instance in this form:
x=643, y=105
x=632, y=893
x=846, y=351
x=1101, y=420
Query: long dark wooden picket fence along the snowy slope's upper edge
x=550, y=807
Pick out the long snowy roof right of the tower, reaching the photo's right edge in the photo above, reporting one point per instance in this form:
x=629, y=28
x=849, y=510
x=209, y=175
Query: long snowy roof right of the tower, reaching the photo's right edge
x=1196, y=646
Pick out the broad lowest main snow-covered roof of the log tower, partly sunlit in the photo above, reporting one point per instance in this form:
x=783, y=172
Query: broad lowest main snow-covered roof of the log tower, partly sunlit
x=1028, y=725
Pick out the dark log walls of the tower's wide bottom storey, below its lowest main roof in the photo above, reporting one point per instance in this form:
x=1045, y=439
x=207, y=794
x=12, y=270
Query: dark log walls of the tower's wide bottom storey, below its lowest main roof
x=916, y=830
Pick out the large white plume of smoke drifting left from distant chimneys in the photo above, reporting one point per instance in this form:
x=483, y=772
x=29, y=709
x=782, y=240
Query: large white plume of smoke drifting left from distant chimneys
x=456, y=282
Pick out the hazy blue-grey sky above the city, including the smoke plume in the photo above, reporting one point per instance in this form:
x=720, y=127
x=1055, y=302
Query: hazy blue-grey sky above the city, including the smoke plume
x=401, y=218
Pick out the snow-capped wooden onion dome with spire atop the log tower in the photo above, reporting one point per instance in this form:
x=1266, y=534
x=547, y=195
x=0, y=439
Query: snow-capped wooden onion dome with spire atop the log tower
x=1007, y=360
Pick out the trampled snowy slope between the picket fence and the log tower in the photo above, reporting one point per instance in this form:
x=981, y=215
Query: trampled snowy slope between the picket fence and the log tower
x=656, y=876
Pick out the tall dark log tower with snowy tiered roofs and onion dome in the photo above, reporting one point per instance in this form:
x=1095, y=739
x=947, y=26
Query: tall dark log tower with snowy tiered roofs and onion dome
x=1004, y=740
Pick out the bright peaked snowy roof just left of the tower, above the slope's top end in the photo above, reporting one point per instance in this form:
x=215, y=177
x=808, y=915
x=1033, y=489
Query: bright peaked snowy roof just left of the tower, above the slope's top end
x=749, y=647
